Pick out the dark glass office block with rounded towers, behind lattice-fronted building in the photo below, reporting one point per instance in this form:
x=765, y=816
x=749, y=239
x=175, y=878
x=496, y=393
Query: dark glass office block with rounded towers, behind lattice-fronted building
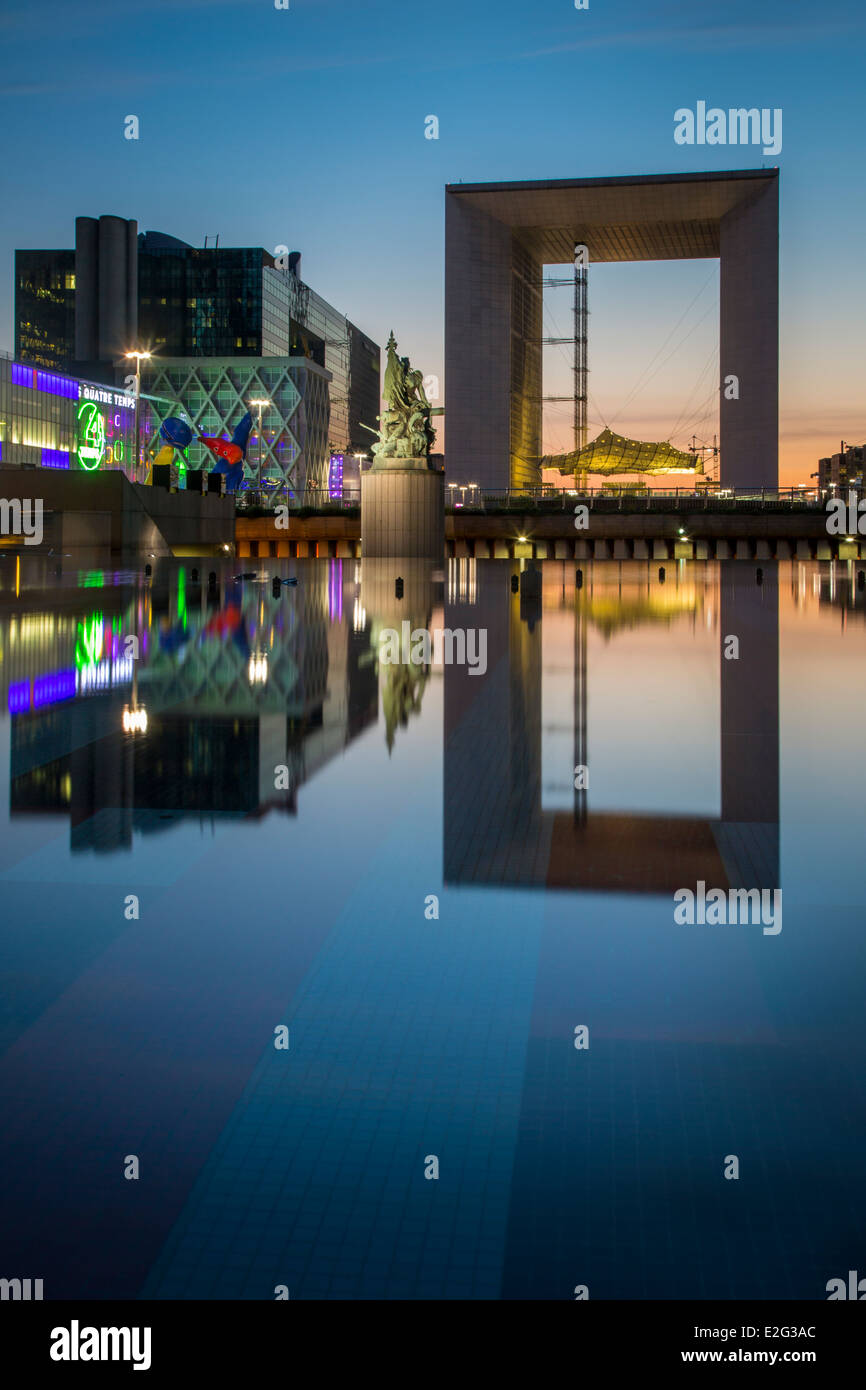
x=81, y=311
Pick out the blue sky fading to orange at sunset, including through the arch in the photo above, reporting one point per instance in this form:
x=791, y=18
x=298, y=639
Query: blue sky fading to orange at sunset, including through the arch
x=307, y=127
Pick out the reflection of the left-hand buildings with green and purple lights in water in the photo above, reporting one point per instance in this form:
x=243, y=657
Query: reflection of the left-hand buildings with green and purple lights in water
x=219, y=726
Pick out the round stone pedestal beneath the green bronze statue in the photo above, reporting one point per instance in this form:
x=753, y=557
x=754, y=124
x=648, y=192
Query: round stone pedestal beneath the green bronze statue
x=404, y=512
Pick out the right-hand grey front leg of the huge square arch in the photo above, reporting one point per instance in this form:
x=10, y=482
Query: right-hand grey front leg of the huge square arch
x=749, y=343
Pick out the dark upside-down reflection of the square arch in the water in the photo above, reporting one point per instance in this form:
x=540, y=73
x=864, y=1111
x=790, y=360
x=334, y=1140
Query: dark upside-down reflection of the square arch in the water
x=493, y=761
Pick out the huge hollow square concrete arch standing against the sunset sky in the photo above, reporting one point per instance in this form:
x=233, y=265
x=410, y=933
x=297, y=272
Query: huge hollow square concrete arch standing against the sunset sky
x=500, y=237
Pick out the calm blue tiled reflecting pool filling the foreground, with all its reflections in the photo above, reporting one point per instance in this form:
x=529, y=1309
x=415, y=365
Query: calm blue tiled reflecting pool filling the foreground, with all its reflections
x=361, y=976
